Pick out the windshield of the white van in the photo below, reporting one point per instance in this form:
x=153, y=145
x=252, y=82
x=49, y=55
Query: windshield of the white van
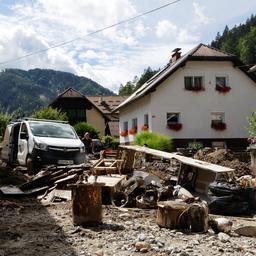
x=53, y=130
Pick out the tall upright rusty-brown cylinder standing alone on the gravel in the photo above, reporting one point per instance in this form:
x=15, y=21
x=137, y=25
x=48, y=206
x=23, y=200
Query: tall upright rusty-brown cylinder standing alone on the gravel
x=86, y=204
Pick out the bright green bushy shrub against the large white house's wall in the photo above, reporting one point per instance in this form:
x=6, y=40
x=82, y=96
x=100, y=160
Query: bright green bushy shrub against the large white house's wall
x=154, y=141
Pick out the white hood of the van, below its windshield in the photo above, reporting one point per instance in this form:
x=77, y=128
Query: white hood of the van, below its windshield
x=57, y=142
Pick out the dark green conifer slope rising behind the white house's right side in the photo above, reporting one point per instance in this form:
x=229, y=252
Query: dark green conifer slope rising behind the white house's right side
x=240, y=40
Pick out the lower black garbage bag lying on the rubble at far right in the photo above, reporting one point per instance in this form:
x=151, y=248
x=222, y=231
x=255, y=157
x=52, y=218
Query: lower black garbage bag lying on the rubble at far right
x=228, y=205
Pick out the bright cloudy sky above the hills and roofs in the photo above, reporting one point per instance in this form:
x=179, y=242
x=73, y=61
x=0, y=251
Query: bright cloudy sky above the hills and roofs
x=113, y=56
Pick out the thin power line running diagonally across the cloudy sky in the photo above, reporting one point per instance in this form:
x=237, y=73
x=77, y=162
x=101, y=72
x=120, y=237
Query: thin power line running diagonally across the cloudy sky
x=91, y=33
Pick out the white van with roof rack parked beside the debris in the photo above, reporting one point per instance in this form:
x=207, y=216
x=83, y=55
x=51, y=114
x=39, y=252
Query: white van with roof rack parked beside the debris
x=34, y=143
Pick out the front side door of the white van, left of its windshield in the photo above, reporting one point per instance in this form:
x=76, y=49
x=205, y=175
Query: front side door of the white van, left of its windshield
x=23, y=144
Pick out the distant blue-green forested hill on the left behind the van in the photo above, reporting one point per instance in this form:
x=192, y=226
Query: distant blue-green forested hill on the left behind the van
x=25, y=91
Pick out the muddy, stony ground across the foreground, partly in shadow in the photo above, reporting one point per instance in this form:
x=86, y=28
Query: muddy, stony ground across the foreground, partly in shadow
x=28, y=227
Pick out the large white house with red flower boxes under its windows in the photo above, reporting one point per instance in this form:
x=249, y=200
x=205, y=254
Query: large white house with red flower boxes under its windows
x=205, y=95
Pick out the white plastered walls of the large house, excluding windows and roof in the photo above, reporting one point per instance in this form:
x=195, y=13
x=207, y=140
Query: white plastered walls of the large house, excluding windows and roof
x=196, y=107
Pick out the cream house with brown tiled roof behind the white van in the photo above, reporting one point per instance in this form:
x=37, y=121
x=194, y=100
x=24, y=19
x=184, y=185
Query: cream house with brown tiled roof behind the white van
x=95, y=110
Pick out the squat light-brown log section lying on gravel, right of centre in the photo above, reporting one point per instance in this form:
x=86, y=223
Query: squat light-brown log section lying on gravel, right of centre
x=171, y=214
